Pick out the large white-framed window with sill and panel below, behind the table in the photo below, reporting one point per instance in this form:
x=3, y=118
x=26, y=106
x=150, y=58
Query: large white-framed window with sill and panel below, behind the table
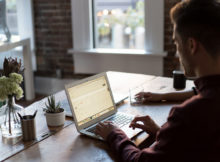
x=87, y=21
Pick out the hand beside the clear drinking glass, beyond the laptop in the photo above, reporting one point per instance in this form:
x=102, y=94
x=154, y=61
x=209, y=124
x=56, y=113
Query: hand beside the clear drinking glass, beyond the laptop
x=148, y=96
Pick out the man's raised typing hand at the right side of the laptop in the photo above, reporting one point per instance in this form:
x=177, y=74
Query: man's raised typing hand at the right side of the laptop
x=147, y=124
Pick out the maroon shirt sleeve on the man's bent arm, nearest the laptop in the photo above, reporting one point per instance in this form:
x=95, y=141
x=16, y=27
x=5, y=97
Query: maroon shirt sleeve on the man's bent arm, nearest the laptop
x=167, y=139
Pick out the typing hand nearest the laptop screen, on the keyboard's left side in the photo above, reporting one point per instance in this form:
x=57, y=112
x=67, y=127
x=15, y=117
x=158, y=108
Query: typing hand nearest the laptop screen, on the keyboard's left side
x=103, y=129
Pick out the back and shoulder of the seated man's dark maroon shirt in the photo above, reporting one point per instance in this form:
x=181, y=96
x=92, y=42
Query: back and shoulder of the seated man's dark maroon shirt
x=193, y=128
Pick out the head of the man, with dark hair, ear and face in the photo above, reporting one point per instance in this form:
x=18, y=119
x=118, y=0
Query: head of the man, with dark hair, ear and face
x=196, y=28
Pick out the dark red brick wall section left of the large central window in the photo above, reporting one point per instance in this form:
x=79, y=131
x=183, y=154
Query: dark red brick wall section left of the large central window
x=53, y=36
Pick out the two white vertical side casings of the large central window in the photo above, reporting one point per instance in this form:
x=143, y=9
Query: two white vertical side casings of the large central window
x=83, y=25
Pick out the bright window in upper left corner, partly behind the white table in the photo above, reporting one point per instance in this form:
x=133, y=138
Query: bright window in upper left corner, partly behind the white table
x=17, y=14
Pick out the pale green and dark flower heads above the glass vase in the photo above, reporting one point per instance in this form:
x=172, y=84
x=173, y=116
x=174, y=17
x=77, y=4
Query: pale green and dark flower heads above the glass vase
x=11, y=79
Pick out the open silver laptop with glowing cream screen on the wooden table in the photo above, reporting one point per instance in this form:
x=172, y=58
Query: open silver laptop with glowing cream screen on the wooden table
x=91, y=101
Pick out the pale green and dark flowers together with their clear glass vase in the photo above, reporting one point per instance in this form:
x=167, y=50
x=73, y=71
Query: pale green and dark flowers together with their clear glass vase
x=10, y=81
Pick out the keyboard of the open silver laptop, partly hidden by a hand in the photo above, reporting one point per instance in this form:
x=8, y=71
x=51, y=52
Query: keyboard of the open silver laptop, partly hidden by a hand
x=120, y=120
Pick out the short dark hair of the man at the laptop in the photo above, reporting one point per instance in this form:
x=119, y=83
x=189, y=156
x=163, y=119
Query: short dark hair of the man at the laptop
x=199, y=19
